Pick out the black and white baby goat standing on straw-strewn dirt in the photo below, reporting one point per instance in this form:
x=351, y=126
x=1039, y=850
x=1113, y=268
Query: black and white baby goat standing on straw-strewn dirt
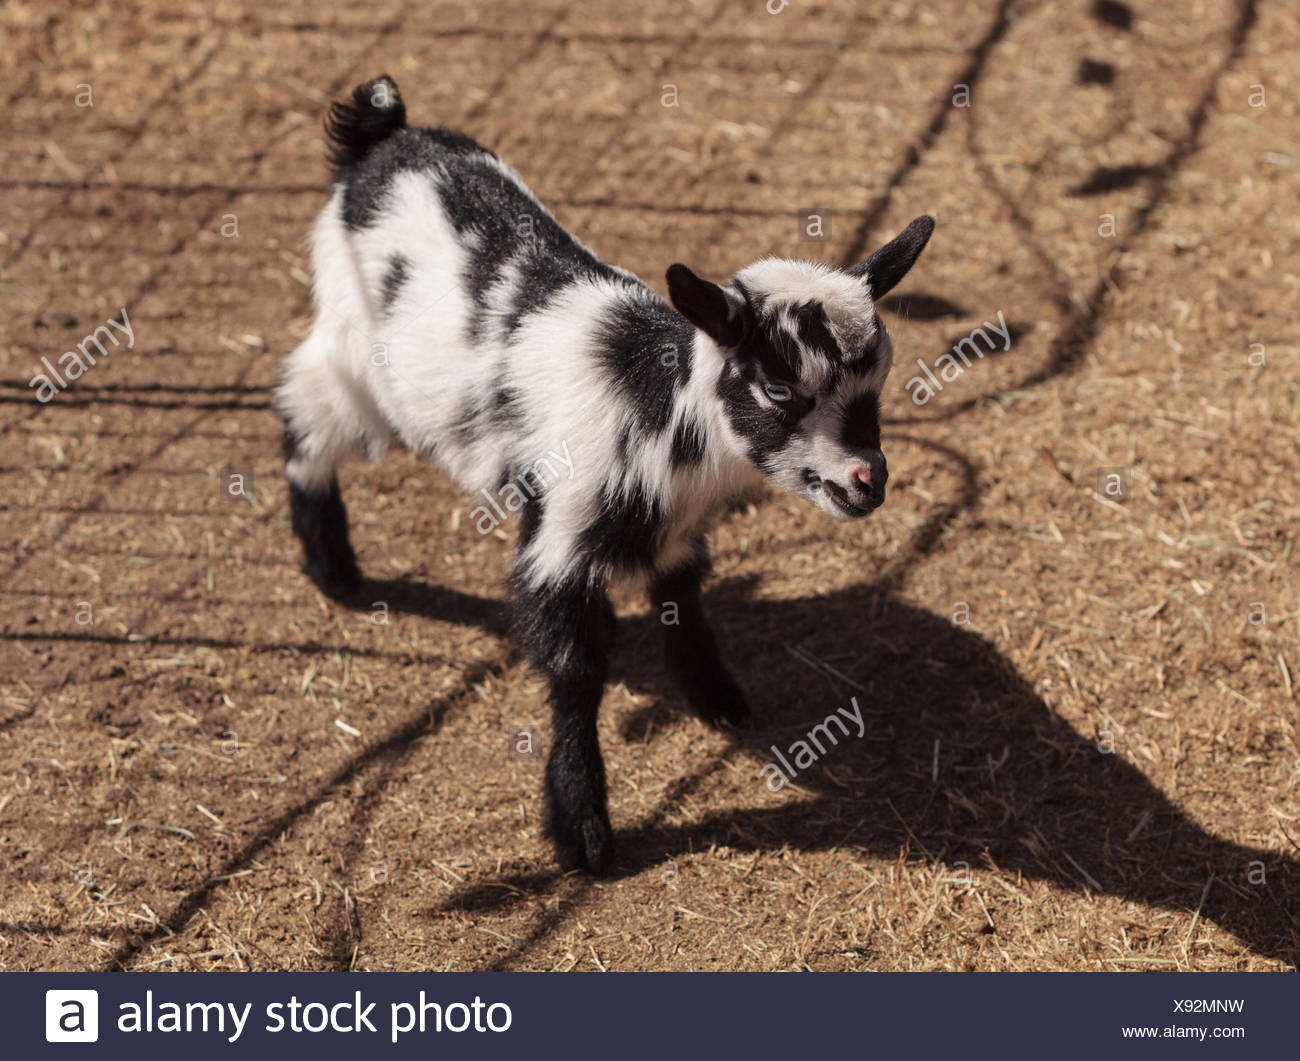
x=457, y=315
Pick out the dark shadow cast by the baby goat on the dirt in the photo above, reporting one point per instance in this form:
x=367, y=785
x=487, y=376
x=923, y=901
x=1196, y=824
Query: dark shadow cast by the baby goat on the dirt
x=1017, y=787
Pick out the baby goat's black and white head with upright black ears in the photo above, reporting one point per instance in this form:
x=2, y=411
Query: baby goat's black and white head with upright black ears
x=805, y=360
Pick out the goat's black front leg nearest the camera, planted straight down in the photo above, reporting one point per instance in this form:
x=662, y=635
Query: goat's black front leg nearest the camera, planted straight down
x=564, y=631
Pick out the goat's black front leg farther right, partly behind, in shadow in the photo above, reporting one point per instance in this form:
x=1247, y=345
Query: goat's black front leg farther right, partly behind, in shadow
x=692, y=649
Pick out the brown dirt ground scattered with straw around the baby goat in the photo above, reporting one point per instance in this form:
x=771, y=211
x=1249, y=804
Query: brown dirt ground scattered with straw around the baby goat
x=1073, y=630
